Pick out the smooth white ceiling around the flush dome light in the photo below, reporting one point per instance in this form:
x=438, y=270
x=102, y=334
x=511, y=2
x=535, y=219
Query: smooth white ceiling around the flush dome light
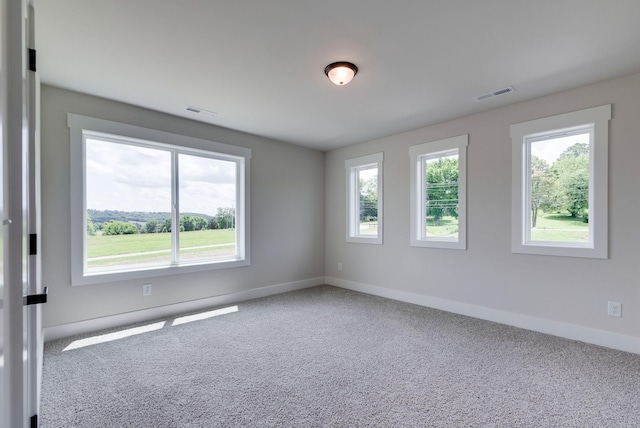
x=259, y=65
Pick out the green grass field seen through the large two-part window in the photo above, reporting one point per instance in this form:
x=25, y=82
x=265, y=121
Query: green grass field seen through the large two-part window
x=156, y=247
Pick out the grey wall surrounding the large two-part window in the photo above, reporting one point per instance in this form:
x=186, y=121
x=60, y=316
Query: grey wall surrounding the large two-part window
x=287, y=215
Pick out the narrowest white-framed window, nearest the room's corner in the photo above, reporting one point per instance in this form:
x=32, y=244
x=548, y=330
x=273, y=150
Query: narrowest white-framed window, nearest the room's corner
x=364, y=199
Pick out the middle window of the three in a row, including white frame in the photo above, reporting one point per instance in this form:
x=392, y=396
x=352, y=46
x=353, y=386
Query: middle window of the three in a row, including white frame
x=438, y=193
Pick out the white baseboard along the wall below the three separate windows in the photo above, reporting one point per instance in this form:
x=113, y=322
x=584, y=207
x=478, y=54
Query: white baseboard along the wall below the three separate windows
x=569, y=331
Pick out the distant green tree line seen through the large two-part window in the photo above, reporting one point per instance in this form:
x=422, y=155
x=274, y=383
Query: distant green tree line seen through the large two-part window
x=135, y=223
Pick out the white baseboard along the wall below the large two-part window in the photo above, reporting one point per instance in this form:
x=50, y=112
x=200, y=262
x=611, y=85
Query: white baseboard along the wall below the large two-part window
x=87, y=326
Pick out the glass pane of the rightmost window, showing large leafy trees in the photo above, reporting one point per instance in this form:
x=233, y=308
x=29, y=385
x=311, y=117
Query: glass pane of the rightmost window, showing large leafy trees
x=559, y=189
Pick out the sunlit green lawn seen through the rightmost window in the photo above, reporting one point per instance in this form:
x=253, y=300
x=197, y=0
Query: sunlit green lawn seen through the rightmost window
x=560, y=228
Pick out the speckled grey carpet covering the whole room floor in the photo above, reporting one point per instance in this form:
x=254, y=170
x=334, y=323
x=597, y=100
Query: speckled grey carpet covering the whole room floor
x=328, y=357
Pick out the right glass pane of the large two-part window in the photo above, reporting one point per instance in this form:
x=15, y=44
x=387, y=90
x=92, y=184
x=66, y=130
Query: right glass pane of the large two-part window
x=207, y=189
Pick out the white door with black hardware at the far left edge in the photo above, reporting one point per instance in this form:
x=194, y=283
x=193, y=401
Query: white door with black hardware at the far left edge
x=21, y=341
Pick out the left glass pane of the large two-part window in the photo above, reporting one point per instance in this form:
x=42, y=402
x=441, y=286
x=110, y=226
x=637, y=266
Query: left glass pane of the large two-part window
x=128, y=193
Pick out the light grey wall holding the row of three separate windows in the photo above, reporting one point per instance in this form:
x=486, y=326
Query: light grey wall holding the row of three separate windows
x=562, y=289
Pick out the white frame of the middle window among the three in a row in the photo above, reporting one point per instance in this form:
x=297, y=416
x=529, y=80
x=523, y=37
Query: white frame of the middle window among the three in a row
x=418, y=154
